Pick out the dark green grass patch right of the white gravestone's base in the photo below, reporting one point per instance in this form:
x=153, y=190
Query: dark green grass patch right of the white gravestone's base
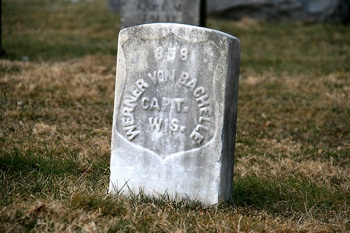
x=294, y=198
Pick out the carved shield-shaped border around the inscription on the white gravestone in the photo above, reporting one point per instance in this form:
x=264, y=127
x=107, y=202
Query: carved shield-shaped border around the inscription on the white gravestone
x=121, y=82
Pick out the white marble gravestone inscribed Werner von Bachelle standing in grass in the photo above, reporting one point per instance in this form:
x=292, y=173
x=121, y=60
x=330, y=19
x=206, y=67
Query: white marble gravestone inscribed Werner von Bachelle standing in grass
x=175, y=109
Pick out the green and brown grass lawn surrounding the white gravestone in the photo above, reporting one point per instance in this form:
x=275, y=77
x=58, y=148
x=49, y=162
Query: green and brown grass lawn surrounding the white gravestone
x=56, y=99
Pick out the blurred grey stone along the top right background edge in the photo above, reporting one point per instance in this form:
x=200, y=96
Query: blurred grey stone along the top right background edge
x=291, y=10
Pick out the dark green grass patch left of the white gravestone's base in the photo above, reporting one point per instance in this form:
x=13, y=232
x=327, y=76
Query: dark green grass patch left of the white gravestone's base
x=48, y=173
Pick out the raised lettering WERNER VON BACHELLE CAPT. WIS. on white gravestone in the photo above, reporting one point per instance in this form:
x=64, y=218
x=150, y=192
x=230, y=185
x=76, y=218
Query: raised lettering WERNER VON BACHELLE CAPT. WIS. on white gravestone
x=160, y=77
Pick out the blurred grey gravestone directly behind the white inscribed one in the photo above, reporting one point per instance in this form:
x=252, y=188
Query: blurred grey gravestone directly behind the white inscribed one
x=135, y=12
